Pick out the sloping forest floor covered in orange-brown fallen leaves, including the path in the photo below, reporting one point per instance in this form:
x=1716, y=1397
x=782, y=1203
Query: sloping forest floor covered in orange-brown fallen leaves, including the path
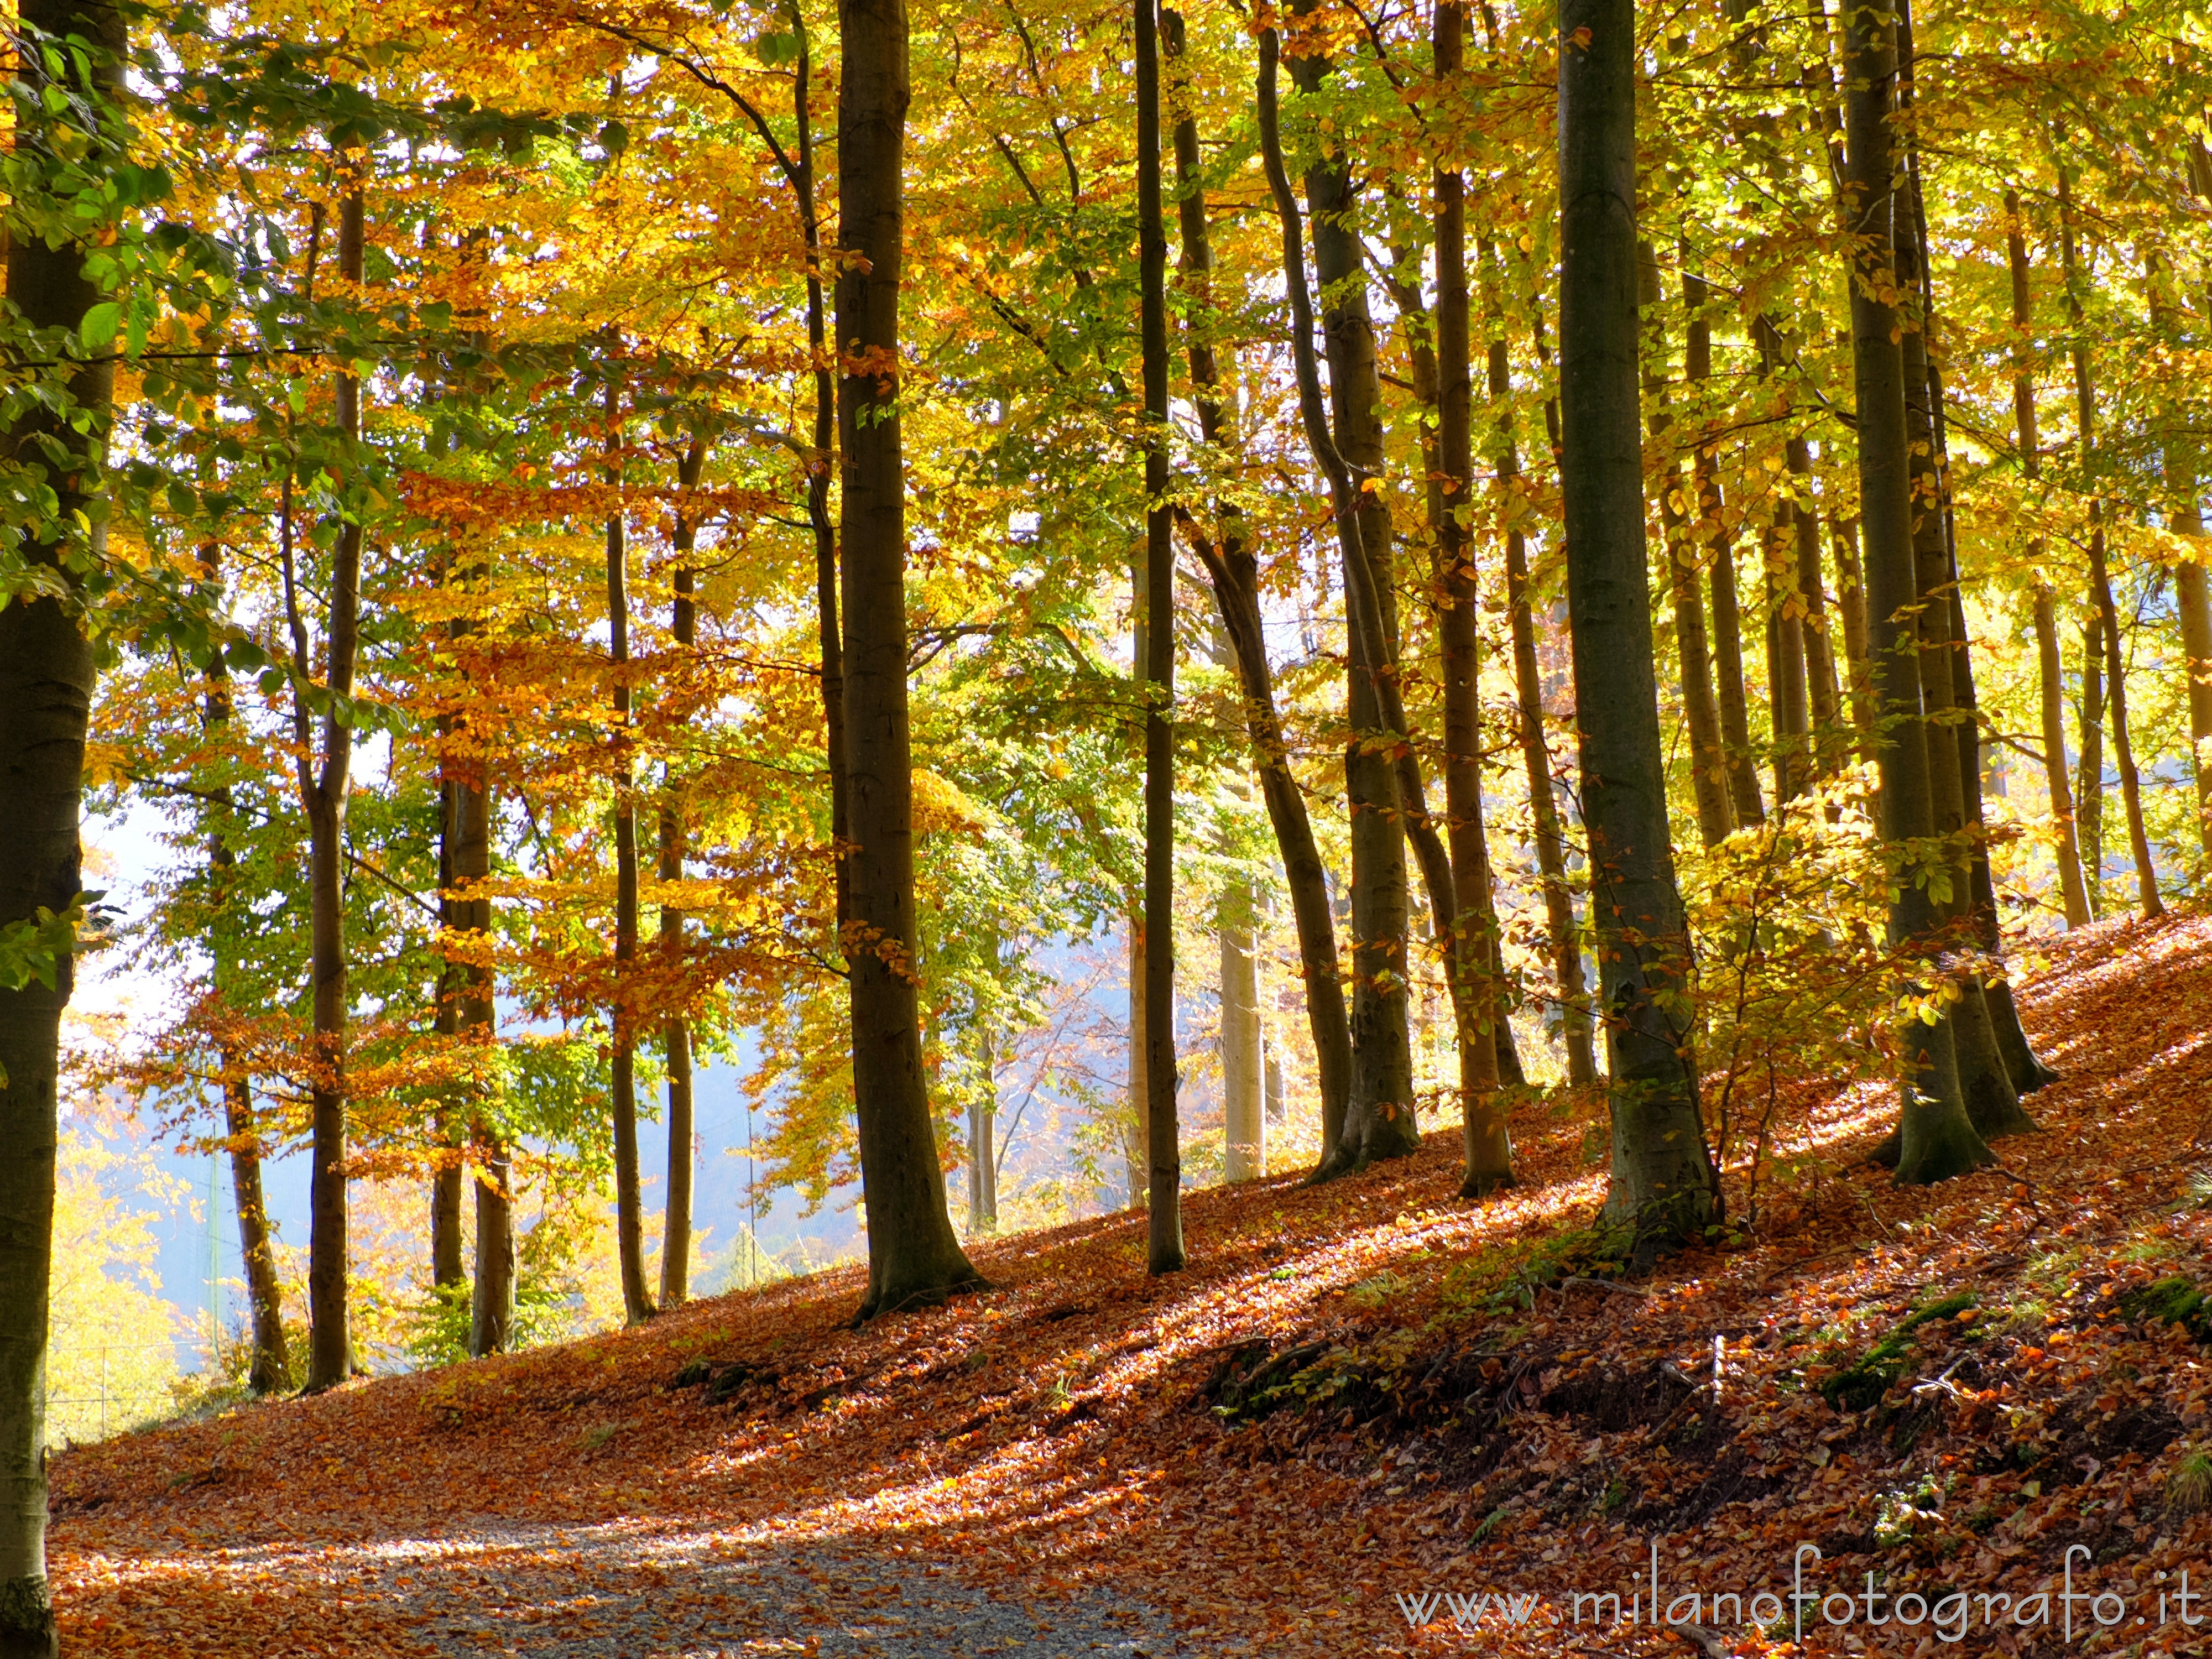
x=1368, y=1419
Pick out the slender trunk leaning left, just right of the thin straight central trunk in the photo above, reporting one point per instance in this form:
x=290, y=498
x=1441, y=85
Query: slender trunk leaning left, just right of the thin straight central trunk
x=1235, y=576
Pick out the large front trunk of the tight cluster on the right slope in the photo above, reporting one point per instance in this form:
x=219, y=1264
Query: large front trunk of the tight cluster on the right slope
x=1937, y=1138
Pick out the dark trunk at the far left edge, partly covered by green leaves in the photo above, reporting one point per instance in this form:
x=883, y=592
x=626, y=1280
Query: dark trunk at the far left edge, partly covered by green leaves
x=45, y=707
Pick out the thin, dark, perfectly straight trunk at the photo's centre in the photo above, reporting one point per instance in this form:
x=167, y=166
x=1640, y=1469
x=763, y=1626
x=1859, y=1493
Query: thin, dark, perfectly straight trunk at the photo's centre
x=1165, y=1202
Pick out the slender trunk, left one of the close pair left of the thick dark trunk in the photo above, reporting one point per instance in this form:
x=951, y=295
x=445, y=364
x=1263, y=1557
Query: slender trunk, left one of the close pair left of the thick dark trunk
x=623, y=1019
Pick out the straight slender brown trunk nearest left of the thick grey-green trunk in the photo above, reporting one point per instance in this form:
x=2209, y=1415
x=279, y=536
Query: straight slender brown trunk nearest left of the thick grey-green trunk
x=1474, y=932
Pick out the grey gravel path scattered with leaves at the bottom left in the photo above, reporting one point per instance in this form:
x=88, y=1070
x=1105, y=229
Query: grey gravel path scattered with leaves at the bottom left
x=654, y=1592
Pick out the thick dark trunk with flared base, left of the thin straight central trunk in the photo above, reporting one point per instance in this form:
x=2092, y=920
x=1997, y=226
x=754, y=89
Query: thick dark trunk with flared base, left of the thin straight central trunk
x=912, y=1253
